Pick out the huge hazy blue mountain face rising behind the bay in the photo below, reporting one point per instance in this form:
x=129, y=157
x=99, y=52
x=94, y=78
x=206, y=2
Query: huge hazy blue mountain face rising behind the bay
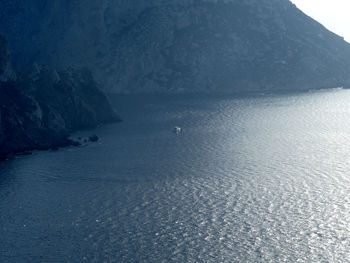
x=180, y=46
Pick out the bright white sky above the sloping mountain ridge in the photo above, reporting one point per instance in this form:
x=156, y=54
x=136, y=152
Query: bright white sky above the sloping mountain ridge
x=333, y=14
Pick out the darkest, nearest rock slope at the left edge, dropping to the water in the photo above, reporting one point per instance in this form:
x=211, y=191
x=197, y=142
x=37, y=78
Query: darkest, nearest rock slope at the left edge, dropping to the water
x=22, y=125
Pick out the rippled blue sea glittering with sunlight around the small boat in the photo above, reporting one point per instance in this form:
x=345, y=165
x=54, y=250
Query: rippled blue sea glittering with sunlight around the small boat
x=250, y=179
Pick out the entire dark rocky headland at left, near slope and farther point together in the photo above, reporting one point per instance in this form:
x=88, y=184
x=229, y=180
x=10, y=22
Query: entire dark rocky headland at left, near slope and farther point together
x=40, y=108
